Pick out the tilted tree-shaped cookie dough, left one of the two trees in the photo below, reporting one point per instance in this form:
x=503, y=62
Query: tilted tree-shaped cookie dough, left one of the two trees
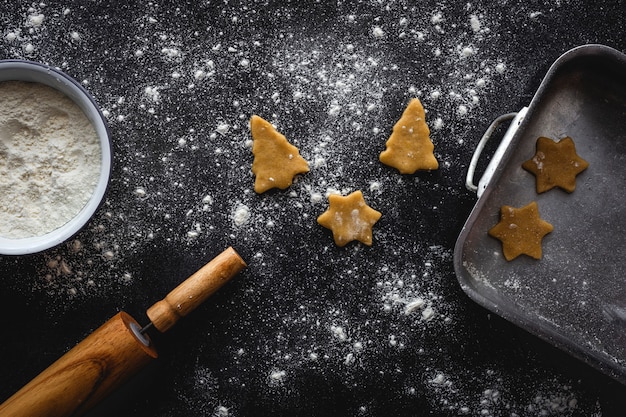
x=276, y=161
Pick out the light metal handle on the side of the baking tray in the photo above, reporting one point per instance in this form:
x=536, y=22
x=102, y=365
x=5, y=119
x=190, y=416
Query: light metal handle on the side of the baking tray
x=516, y=118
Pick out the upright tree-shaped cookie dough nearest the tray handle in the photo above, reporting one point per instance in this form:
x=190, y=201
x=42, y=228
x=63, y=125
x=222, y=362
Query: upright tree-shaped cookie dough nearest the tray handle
x=409, y=148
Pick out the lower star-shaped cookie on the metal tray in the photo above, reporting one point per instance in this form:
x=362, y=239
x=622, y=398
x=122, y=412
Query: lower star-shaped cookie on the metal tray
x=521, y=231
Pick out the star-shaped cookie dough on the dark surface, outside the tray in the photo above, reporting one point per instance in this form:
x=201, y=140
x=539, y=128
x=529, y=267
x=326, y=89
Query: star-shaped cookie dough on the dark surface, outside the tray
x=350, y=218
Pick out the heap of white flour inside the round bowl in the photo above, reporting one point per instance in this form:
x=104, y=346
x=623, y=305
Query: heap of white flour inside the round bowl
x=49, y=159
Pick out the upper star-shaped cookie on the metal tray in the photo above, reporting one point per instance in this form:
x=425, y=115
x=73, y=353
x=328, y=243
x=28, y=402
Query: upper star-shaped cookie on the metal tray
x=555, y=164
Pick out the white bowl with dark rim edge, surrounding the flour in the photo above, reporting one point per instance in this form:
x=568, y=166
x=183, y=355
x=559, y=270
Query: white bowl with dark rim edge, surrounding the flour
x=19, y=70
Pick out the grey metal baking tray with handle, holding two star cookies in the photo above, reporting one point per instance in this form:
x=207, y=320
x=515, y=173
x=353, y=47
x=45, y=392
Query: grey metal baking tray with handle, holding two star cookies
x=575, y=296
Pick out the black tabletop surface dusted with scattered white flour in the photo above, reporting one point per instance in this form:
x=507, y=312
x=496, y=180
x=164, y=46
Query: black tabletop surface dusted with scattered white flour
x=328, y=323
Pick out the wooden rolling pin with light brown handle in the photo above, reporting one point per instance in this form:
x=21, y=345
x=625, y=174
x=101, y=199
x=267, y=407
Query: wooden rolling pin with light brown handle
x=116, y=351
